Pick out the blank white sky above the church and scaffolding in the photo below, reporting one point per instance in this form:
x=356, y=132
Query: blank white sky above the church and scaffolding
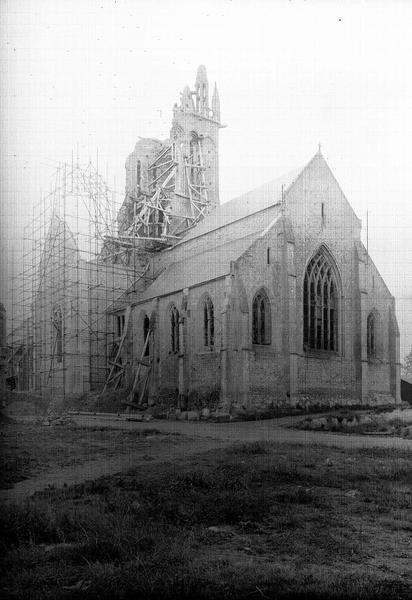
x=97, y=74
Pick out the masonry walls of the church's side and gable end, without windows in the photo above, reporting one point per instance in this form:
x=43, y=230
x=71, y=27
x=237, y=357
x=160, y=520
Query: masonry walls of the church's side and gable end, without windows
x=282, y=372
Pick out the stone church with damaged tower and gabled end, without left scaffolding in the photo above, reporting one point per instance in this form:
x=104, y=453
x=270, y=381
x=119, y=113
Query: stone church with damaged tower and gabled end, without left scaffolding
x=268, y=300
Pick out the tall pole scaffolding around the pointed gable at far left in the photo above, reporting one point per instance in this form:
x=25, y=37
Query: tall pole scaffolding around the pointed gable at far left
x=60, y=330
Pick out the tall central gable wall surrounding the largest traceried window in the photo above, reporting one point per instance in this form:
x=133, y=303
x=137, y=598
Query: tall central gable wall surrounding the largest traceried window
x=321, y=215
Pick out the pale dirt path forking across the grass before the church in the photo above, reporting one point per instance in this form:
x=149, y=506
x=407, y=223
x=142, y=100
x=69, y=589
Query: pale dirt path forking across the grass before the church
x=195, y=438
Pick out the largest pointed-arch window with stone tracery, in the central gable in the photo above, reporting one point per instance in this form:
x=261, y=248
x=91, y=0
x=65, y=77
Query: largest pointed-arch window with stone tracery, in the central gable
x=320, y=305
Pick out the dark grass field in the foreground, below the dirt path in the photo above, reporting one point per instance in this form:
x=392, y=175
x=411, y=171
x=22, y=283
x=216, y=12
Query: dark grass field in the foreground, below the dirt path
x=249, y=521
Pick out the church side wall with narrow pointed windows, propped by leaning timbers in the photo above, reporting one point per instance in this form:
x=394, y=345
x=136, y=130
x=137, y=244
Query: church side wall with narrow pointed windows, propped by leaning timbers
x=192, y=373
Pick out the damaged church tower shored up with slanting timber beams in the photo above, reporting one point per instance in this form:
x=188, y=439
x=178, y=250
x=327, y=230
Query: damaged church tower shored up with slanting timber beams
x=171, y=185
